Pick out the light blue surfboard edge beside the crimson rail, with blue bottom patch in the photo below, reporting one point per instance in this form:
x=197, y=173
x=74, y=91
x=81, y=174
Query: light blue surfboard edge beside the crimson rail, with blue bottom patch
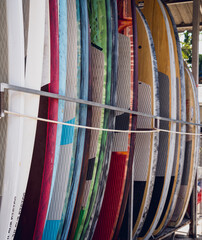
x=52, y=232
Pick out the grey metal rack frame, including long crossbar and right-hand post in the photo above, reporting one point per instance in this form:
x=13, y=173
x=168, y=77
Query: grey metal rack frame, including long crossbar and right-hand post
x=196, y=22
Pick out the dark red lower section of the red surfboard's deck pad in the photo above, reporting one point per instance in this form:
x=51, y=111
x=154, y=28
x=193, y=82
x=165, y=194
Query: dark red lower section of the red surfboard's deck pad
x=113, y=197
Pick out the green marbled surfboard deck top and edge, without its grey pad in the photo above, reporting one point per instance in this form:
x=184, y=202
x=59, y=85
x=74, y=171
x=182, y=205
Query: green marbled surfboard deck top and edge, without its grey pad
x=98, y=24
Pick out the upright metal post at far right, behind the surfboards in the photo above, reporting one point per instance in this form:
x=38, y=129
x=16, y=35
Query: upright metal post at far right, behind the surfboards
x=195, y=71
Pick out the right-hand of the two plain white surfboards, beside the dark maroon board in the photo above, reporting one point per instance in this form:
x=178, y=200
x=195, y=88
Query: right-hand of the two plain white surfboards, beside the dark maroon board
x=33, y=79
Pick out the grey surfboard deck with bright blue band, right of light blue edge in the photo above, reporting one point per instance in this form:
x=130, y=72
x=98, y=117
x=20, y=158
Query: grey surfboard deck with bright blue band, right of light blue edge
x=71, y=133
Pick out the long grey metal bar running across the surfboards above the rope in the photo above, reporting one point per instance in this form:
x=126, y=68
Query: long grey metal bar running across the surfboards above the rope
x=4, y=86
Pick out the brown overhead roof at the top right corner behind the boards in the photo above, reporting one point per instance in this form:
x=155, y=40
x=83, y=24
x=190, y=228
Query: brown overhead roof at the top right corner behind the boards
x=182, y=12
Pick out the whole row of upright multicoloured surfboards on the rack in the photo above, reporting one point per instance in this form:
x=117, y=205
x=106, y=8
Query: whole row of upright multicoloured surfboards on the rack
x=58, y=181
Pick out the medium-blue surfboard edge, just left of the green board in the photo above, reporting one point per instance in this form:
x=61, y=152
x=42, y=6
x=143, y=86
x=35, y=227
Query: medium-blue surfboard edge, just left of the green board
x=82, y=116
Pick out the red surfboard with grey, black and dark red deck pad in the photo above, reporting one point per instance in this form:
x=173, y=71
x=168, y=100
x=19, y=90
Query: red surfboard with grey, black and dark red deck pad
x=118, y=181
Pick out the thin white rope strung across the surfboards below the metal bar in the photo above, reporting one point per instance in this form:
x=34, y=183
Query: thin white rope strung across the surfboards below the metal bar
x=99, y=129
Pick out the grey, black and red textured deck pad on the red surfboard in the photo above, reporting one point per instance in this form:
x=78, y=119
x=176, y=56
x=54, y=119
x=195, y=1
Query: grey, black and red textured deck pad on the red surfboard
x=117, y=172
